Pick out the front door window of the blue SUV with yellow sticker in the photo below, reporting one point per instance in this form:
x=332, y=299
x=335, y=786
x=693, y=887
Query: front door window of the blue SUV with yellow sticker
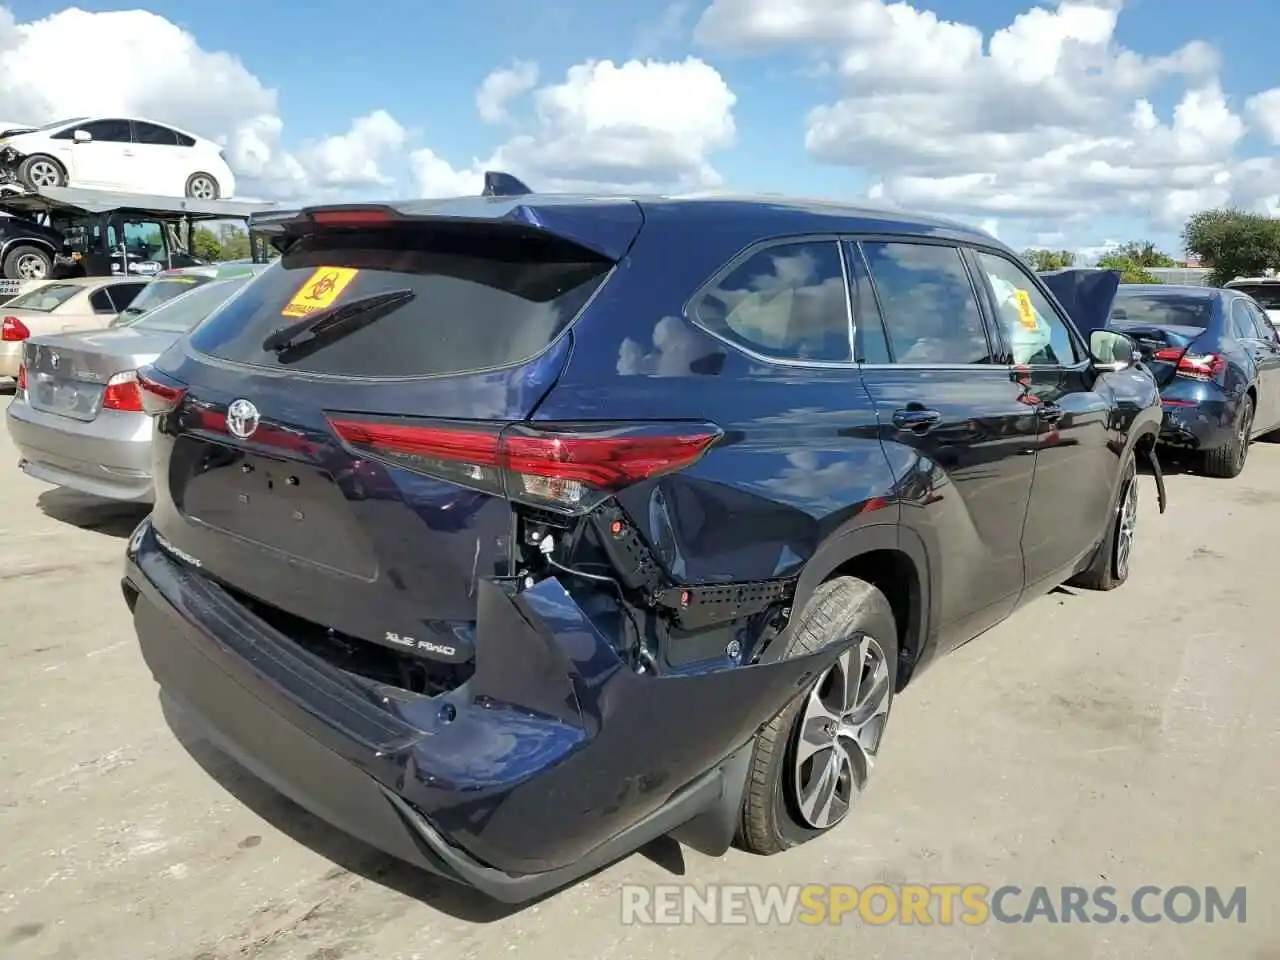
x=1034, y=328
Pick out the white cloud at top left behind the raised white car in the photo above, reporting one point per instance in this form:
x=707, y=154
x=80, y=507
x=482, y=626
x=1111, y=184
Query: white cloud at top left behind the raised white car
x=159, y=71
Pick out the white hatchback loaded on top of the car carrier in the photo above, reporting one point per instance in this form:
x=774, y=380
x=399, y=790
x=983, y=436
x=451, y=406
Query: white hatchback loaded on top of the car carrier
x=116, y=153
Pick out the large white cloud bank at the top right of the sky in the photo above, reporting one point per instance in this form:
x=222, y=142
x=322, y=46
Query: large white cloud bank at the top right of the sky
x=1045, y=122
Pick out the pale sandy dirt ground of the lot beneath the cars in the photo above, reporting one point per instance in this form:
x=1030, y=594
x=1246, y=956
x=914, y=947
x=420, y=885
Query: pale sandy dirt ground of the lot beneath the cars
x=1128, y=739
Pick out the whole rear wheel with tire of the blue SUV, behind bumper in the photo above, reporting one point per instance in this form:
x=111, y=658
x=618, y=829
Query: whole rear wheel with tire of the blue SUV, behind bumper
x=812, y=764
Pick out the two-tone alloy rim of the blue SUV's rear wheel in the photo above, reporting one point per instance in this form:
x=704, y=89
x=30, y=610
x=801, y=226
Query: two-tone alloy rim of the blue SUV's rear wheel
x=840, y=730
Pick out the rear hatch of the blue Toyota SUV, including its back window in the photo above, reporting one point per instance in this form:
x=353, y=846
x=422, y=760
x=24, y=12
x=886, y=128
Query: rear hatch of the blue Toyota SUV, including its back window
x=344, y=478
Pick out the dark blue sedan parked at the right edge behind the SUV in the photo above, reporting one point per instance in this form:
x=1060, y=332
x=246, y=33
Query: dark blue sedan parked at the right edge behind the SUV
x=1217, y=359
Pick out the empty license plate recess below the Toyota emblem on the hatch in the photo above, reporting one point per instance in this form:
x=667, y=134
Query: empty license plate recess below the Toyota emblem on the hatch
x=282, y=506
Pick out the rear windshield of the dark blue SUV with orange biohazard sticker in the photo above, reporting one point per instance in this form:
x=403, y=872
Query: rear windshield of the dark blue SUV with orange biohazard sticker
x=477, y=300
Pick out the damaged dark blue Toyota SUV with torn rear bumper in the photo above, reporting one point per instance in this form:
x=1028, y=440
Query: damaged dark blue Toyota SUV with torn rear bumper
x=511, y=533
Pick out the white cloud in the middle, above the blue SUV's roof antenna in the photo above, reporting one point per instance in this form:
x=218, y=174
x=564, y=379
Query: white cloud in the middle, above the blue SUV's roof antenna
x=638, y=126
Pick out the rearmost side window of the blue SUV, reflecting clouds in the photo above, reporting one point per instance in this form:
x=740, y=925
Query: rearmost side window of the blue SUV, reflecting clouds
x=788, y=301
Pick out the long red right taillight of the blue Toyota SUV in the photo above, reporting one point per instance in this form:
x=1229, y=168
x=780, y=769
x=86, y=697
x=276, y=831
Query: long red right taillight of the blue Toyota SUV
x=570, y=468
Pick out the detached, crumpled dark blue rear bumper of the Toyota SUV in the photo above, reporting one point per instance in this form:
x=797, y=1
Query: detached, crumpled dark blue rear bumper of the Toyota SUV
x=551, y=762
